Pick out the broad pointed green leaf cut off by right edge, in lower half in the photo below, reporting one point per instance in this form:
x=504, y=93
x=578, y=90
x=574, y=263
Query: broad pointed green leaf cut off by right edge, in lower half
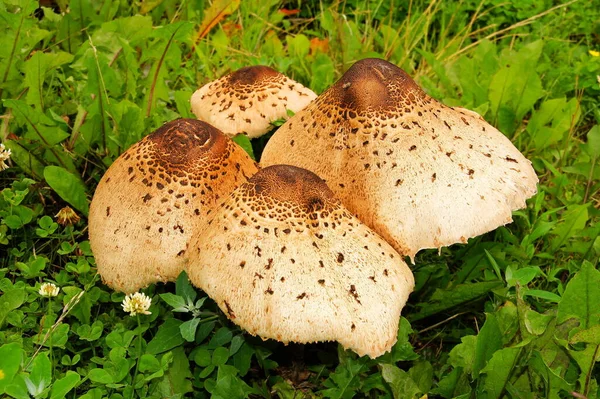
x=581, y=297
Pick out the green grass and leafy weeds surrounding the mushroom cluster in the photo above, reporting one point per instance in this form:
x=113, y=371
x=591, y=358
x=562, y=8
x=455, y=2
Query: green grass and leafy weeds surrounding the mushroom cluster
x=511, y=314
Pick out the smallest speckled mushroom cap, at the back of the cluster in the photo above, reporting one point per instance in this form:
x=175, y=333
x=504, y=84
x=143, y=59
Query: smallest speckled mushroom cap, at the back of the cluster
x=248, y=100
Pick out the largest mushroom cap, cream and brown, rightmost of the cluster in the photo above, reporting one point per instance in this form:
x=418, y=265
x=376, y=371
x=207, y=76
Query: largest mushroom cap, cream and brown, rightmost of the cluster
x=421, y=174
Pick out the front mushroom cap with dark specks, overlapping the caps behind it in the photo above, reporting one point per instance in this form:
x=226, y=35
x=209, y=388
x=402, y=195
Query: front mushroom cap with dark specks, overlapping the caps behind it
x=285, y=260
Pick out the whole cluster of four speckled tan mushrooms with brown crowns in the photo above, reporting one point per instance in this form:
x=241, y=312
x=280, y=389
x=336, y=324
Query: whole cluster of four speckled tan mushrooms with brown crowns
x=309, y=245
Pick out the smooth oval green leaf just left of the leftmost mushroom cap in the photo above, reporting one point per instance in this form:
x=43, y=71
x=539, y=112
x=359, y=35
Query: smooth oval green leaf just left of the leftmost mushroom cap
x=68, y=186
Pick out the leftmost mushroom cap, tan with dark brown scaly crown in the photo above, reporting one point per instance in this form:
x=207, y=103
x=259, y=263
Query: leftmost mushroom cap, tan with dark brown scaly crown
x=155, y=195
